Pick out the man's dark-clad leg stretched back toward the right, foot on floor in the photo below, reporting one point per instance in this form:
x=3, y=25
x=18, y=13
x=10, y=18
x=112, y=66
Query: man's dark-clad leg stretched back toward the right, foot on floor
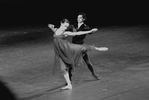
x=89, y=65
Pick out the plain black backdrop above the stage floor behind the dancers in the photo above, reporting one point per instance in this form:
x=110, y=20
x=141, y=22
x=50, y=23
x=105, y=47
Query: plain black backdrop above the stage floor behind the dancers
x=99, y=12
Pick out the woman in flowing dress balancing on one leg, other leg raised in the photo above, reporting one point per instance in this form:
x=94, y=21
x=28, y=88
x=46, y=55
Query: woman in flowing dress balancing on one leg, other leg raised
x=69, y=53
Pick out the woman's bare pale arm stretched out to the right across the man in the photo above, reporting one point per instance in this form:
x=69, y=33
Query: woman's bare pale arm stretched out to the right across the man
x=80, y=32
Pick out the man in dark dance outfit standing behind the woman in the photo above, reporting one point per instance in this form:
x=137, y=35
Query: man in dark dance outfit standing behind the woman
x=79, y=39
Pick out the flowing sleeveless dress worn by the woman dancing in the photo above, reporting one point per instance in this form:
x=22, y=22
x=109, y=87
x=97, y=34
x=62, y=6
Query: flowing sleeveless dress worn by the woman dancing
x=70, y=54
